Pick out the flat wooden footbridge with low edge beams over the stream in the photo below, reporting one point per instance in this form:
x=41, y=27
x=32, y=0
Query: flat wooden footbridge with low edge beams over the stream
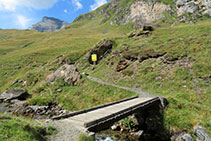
x=101, y=117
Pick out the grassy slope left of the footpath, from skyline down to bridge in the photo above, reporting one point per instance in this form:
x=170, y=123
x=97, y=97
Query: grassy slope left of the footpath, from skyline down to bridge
x=31, y=56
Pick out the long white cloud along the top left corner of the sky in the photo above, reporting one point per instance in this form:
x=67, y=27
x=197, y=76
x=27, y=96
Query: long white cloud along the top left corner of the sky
x=12, y=5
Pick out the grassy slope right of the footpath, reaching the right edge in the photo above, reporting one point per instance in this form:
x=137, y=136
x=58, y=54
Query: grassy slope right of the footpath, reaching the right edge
x=185, y=82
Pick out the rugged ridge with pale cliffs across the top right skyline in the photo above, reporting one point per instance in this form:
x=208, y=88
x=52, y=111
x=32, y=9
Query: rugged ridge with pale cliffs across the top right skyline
x=140, y=13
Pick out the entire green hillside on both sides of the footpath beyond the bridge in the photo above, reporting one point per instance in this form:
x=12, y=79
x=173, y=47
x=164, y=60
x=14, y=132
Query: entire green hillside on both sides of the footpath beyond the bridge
x=173, y=62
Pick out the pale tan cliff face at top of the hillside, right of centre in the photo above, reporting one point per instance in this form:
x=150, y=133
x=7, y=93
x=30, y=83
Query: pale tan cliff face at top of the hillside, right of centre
x=137, y=13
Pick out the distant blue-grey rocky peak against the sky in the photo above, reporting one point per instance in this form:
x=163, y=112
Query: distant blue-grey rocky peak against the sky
x=49, y=24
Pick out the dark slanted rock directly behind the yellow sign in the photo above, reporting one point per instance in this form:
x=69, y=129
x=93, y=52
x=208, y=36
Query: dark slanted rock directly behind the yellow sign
x=102, y=48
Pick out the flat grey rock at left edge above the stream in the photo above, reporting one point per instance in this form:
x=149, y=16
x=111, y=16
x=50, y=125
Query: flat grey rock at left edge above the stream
x=14, y=93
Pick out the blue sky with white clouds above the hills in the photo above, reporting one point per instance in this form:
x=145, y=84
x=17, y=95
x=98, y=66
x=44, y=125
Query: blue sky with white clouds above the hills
x=22, y=14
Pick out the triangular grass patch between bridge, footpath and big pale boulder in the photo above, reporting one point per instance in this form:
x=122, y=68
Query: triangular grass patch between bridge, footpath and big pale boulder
x=89, y=94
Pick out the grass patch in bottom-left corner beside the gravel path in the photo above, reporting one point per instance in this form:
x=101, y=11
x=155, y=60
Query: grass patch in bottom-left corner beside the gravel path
x=16, y=129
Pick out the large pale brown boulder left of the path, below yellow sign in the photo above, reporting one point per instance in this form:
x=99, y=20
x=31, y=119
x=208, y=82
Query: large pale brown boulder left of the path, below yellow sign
x=69, y=73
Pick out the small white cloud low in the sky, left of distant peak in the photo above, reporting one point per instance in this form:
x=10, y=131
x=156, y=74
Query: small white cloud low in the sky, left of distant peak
x=22, y=21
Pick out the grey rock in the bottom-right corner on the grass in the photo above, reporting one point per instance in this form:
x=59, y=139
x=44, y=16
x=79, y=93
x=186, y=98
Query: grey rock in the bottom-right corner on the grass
x=201, y=134
